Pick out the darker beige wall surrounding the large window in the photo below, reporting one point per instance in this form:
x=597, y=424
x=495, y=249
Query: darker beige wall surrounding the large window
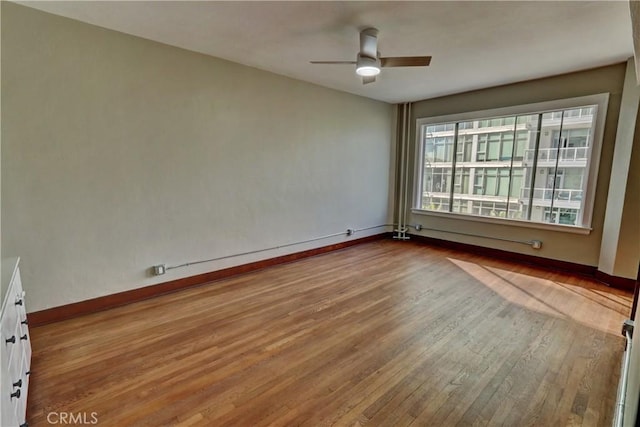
x=581, y=249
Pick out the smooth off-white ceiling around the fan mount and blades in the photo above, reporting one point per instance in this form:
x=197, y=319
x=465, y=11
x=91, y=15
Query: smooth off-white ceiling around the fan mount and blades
x=474, y=44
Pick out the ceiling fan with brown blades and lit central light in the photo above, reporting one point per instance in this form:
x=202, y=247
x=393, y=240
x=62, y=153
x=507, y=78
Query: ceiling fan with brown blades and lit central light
x=368, y=62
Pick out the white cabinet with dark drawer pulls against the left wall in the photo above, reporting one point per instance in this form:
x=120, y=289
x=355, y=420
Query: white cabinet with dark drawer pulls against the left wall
x=15, y=348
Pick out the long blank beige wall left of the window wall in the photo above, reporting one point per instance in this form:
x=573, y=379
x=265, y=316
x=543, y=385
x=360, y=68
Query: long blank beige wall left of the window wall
x=119, y=153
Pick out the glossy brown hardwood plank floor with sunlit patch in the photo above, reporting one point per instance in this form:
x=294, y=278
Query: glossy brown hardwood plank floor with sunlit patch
x=383, y=334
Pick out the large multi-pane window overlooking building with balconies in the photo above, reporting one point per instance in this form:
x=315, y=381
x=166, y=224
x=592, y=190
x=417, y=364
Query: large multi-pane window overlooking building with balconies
x=535, y=163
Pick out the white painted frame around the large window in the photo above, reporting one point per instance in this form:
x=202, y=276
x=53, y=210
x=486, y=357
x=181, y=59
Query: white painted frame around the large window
x=601, y=100
